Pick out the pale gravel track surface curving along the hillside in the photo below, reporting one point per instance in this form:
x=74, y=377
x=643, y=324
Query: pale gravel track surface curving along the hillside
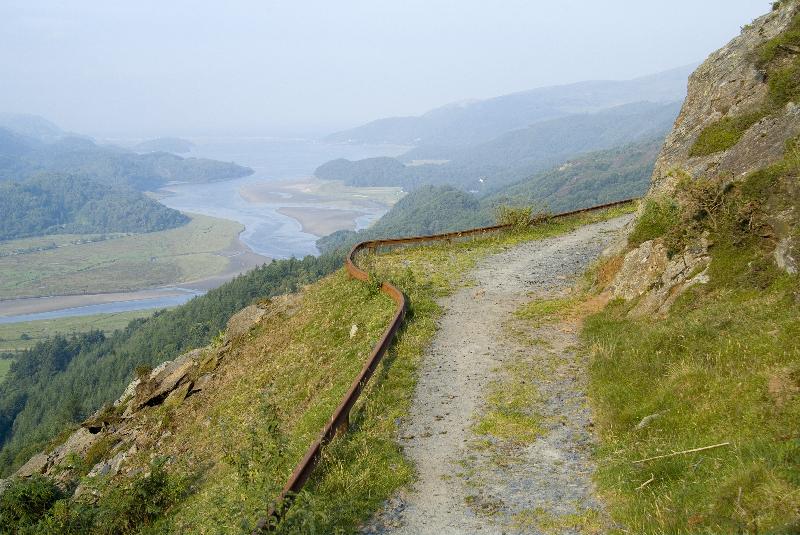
x=462, y=489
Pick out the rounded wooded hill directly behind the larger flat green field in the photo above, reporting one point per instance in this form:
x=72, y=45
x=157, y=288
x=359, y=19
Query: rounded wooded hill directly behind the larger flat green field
x=53, y=203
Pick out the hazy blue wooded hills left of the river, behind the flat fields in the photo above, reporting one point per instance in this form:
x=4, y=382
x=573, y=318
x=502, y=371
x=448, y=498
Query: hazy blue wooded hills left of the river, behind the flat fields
x=52, y=182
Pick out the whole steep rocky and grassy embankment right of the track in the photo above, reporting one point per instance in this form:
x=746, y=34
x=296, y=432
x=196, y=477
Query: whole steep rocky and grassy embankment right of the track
x=695, y=364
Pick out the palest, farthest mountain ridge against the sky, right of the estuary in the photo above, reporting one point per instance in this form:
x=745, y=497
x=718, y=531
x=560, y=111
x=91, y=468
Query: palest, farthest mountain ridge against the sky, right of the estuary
x=482, y=120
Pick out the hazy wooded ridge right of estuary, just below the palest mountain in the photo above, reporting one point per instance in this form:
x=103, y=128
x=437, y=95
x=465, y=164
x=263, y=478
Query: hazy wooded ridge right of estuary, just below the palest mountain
x=488, y=166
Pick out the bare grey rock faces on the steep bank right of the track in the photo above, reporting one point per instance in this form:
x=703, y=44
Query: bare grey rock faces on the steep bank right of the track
x=728, y=84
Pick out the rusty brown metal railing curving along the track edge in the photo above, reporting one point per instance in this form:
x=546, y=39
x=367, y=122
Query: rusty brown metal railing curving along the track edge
x=339, y=421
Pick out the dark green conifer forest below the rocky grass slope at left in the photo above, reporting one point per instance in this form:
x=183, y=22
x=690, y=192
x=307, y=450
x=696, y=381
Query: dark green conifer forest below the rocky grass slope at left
x=63, y=380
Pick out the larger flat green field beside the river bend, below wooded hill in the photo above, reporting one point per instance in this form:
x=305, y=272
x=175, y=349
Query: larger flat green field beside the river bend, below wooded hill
x=126, y=262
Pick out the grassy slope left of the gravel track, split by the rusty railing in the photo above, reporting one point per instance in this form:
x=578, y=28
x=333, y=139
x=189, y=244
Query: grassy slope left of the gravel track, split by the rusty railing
x=290, y=372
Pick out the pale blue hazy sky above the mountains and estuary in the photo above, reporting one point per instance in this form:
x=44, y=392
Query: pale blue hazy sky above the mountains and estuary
x=180, y=67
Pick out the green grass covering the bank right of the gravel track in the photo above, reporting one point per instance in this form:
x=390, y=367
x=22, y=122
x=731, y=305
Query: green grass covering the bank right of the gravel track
x=722, y=366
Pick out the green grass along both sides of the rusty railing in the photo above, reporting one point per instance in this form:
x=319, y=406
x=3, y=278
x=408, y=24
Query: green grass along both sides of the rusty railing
x=366, y=464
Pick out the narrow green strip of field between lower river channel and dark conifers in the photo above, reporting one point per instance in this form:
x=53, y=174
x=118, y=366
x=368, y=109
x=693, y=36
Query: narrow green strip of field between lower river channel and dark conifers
x=16, y=336
